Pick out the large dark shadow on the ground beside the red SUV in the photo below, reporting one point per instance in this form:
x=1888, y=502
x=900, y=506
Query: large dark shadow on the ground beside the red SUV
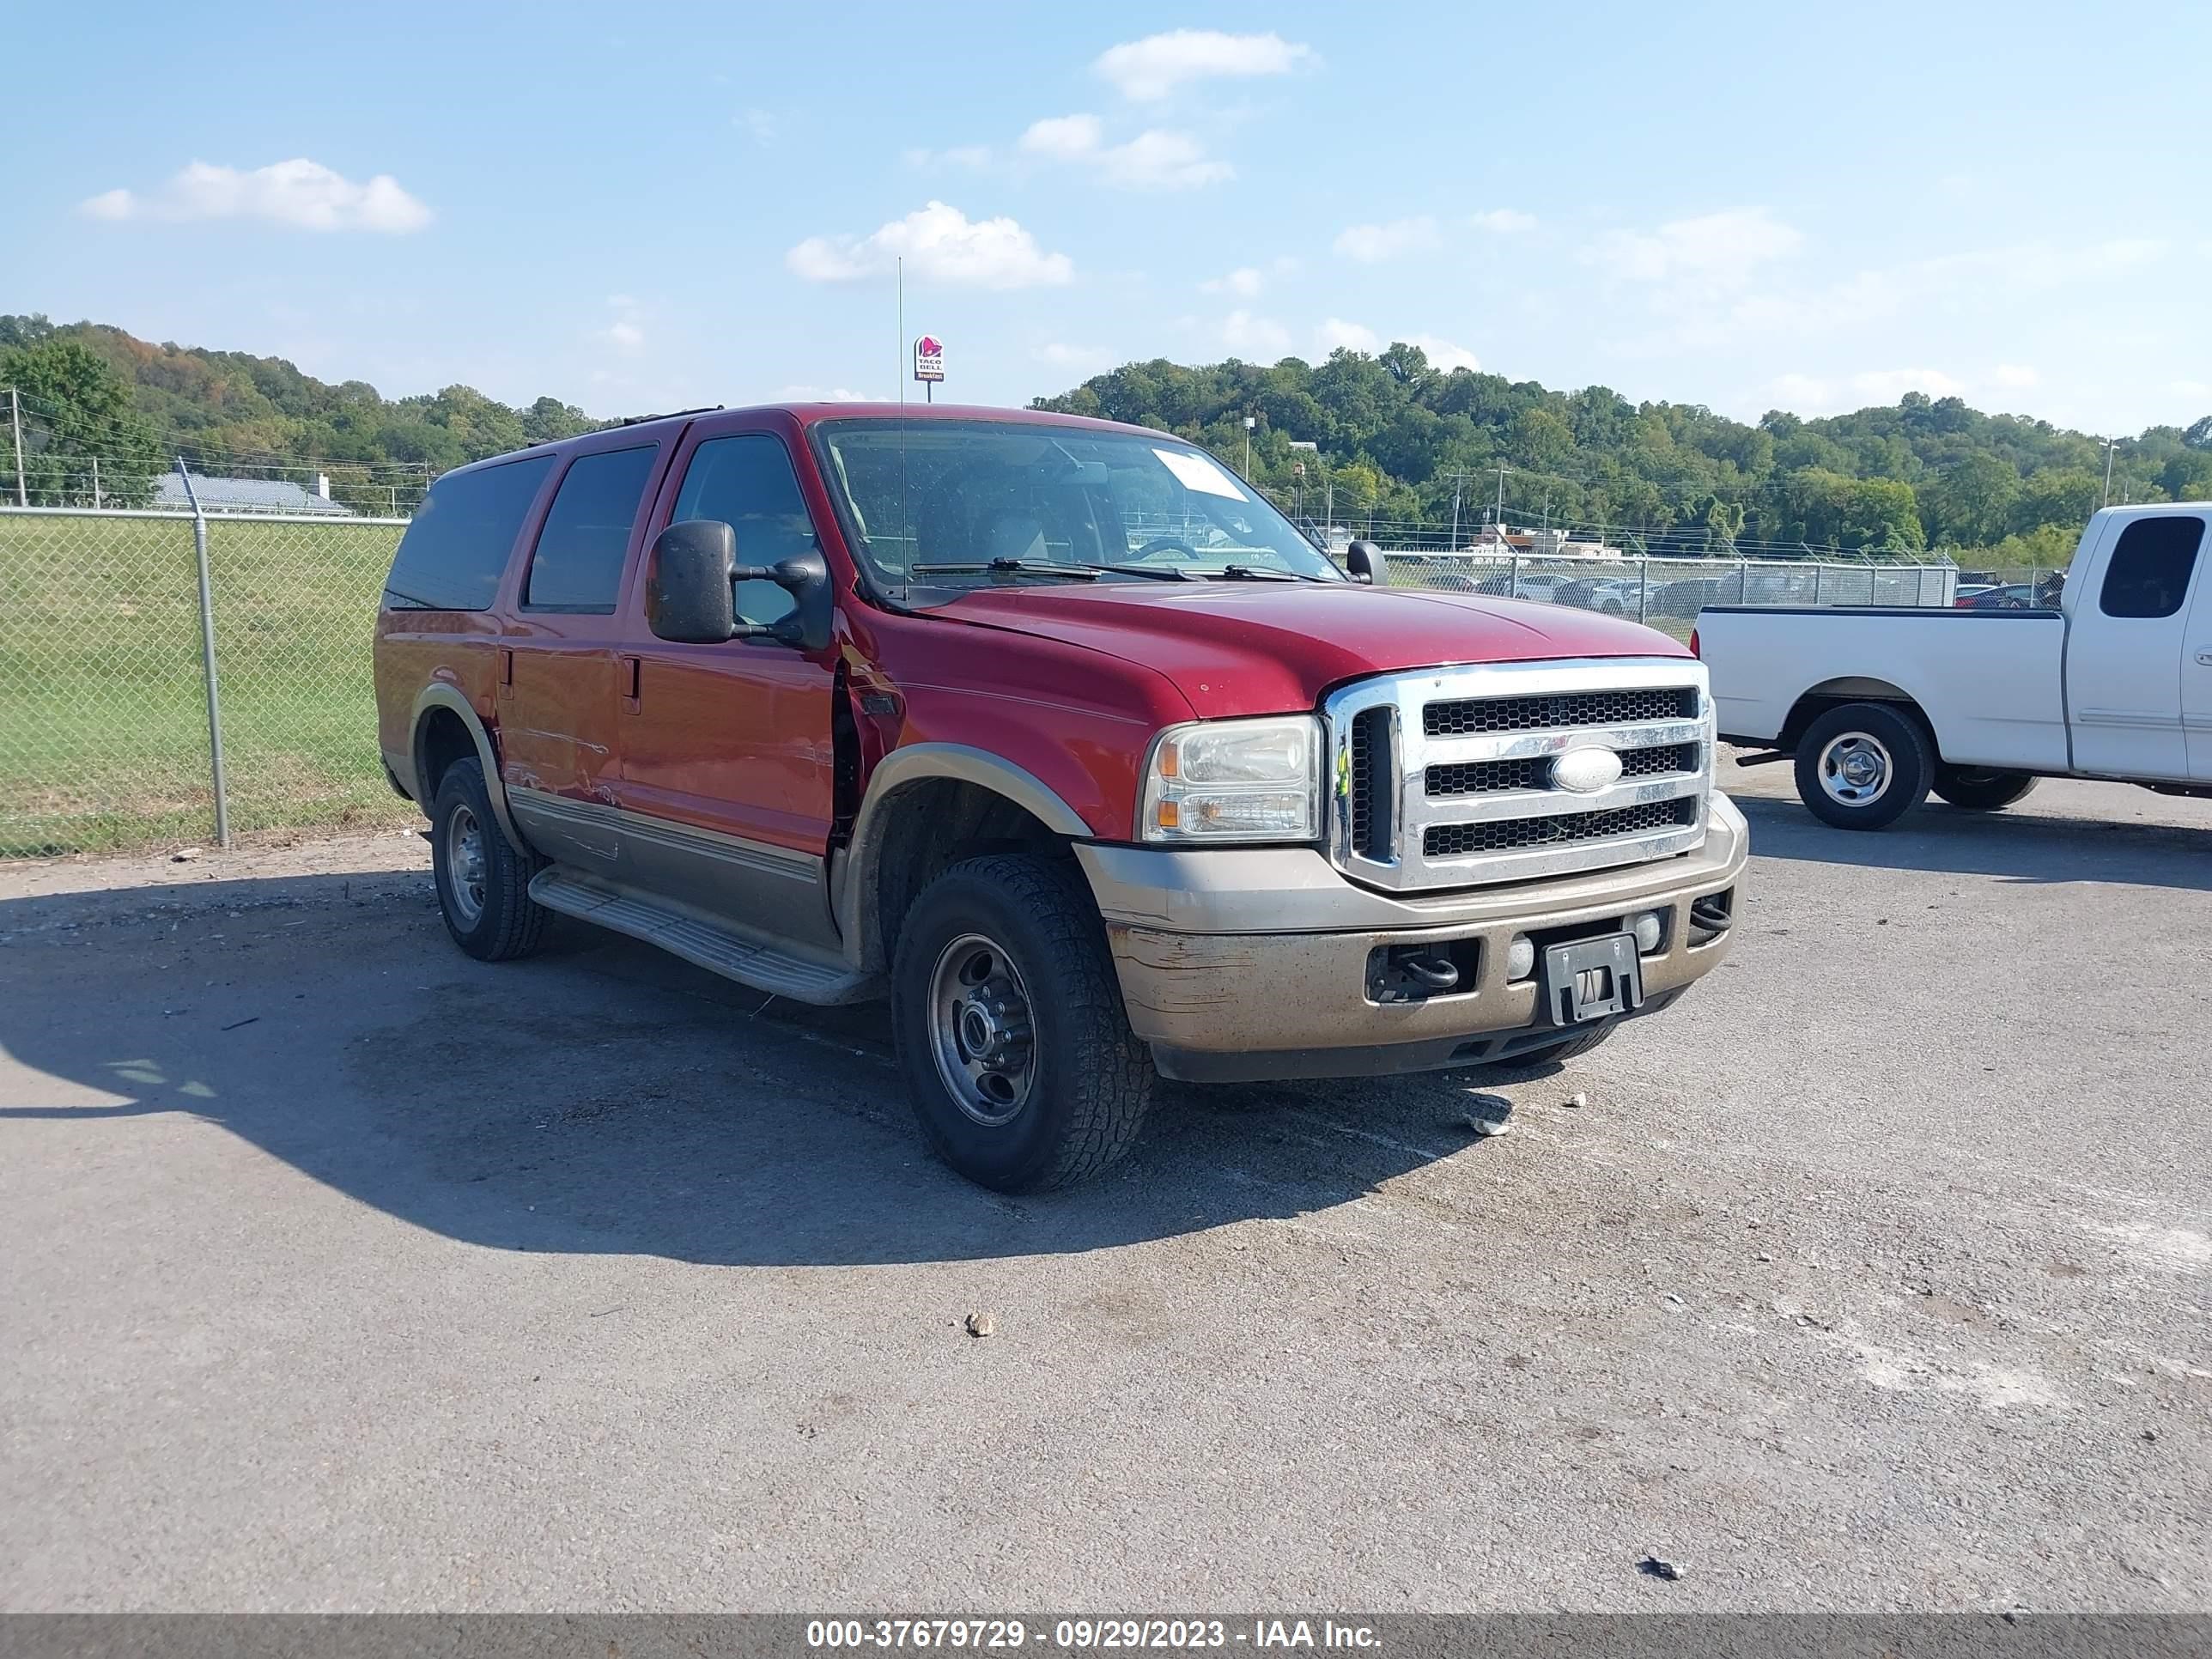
x=603, y=1096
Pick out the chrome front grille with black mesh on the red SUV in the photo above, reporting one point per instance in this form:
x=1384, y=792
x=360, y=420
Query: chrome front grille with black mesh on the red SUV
x=1450, y=778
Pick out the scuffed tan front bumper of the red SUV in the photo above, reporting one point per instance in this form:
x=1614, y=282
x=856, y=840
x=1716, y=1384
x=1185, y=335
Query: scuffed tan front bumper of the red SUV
x=1255, y=966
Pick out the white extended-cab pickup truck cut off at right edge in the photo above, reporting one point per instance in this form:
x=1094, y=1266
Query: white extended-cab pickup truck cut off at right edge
x=1881, y=707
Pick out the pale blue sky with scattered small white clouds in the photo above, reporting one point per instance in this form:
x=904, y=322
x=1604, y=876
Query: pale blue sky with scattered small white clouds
x=638, y=209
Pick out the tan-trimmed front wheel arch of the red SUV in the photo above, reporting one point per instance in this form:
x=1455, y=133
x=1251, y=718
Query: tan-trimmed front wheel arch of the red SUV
x=930, y=806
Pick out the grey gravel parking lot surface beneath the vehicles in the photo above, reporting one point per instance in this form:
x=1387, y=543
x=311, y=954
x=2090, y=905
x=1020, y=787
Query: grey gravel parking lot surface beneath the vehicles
x=346, y=1273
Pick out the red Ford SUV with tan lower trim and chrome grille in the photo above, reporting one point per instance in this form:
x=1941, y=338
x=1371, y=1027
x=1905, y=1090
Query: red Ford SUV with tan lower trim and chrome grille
x=1058, y=738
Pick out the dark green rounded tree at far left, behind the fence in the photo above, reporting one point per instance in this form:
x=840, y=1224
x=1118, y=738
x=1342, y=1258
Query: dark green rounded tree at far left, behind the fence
x=76, y=415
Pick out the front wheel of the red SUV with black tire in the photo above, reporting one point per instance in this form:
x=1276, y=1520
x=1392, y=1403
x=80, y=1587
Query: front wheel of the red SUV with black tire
x=1010, y=1027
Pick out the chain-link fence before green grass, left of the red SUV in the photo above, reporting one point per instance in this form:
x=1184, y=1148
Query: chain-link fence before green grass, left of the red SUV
x=105, y=711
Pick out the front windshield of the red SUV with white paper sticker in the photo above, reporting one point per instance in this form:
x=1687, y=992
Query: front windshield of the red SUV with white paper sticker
x=924, y=494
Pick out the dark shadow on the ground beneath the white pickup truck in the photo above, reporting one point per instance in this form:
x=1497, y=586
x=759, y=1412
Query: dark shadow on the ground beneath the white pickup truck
x=2010, y=846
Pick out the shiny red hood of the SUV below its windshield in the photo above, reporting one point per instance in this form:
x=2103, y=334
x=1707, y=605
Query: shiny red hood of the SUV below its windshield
x=1273, y=647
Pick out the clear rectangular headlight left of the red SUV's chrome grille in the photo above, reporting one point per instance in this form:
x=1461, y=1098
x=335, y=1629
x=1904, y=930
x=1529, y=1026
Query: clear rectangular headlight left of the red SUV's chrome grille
x=1235, y=782
